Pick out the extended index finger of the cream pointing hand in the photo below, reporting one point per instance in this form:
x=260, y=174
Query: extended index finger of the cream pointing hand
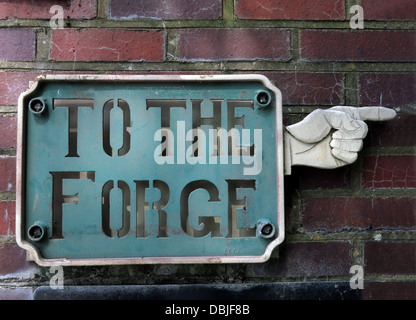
x=375, y=113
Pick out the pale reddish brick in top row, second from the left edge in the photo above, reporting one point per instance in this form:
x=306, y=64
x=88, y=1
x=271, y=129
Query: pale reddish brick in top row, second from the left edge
x=167, y=9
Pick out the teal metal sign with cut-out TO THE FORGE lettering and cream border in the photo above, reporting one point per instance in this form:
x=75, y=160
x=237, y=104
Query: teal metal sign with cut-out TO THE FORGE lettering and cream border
x=150, y=169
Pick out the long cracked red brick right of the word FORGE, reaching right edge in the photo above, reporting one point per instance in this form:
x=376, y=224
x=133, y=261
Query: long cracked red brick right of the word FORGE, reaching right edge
x=365, y=213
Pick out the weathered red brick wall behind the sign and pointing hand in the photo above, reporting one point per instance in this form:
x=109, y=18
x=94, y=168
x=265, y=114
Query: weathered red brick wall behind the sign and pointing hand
x=363, y=214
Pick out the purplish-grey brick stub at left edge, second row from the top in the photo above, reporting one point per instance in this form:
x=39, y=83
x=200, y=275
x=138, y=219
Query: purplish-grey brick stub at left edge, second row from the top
x=17, y=44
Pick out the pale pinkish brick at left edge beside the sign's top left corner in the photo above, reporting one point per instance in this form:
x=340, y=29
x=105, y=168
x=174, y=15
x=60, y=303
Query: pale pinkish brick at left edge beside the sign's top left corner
x=12, y=84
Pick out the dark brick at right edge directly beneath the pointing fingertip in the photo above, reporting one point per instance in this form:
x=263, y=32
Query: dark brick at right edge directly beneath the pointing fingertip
x=396, y=132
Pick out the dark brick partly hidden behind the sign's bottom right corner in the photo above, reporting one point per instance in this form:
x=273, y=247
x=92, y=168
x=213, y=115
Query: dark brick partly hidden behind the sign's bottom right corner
x=306, y=259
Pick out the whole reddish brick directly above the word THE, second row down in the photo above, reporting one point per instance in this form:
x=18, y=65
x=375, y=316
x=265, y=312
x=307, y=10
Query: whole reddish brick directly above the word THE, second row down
x=234, y=44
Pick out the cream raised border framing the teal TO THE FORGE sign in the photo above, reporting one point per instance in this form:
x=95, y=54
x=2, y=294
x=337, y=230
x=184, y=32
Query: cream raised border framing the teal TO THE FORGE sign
x=20, y=175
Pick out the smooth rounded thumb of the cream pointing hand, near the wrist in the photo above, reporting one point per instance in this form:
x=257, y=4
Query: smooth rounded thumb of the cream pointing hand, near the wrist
x=312, y=129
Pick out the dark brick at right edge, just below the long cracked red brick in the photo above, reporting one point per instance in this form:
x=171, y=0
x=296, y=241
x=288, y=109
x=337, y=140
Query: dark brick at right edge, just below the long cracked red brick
x=390, y=257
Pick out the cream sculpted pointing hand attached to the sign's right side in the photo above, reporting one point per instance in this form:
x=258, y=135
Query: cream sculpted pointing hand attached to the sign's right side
x=330, y=138
